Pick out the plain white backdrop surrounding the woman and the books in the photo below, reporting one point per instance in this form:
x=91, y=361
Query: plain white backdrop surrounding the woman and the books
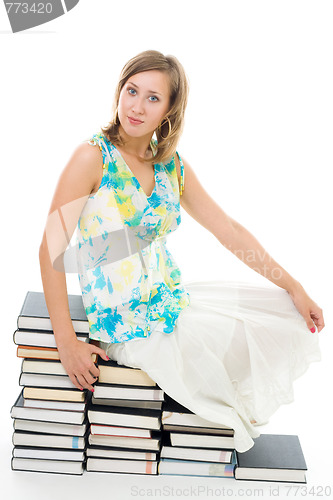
x=259, y=136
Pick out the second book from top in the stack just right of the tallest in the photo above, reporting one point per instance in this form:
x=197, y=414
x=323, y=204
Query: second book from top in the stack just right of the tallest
x=121, y=391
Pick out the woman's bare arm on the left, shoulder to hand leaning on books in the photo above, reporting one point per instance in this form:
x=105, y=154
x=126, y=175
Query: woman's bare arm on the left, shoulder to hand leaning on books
x=80, y=177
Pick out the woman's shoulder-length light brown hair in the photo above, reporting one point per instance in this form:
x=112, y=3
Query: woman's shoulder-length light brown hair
x=167, y=134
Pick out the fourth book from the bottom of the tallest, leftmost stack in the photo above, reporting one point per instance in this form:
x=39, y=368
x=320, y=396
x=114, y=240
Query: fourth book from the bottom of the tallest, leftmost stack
x=50, y=427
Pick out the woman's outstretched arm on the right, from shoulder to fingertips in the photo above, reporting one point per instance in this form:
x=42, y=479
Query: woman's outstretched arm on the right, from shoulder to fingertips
x=236, y=238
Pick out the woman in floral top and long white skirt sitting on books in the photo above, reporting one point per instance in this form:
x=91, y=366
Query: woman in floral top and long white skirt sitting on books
x=227, y=351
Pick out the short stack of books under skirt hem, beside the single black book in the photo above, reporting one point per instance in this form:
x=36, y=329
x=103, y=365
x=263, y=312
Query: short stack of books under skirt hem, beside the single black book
x=193, y=446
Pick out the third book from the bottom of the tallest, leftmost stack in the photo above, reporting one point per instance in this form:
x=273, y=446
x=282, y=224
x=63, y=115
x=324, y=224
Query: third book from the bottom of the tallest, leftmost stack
x=22, y=438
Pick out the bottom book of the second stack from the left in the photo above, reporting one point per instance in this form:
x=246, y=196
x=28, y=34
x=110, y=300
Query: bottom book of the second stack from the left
x=121, y=466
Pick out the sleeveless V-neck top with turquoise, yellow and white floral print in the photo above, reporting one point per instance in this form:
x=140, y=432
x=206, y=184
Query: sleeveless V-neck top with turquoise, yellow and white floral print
x=130, y=282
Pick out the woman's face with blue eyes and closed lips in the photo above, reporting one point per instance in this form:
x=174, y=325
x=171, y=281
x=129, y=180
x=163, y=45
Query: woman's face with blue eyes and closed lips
x=143, y=103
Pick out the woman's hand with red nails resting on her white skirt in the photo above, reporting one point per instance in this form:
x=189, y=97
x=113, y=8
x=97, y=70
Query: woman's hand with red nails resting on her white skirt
x=310, y=311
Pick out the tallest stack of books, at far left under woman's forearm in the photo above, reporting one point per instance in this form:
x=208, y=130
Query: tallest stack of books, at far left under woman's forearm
x=50, y=413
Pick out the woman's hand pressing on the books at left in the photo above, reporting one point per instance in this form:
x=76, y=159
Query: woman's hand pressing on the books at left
x=75, y=357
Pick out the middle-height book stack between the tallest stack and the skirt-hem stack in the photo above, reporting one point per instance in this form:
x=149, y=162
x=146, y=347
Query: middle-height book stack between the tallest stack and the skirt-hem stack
x=125, y=421
